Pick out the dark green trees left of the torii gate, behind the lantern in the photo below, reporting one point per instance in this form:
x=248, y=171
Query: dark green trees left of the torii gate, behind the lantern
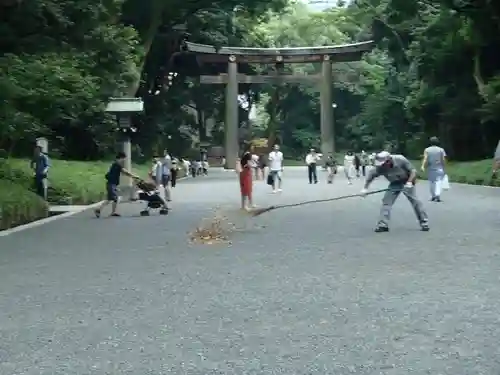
x=61, y=61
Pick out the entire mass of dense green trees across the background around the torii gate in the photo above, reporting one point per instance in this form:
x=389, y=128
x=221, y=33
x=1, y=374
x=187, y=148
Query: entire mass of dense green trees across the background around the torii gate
x=434, y=71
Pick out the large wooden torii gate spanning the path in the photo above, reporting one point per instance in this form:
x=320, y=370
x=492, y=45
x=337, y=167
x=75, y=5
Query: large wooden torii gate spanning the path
x=235, y=55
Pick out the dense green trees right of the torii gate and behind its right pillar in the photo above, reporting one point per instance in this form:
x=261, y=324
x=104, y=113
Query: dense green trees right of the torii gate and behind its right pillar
x=434, y=72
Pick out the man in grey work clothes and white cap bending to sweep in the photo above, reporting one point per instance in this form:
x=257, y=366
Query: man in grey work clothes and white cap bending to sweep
x=401, y=176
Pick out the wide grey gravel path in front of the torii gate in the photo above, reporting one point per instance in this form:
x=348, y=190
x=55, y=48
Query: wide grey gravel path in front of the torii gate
x=309, y=290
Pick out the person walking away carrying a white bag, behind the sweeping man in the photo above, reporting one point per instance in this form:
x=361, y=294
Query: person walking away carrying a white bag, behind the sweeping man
x=434, y=161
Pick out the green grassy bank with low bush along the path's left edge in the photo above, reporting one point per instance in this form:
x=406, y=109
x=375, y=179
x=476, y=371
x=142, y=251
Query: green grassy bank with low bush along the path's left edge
x=71, y=182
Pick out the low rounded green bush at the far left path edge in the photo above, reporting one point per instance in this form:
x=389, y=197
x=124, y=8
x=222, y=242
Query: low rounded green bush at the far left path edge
x=19, y=205
